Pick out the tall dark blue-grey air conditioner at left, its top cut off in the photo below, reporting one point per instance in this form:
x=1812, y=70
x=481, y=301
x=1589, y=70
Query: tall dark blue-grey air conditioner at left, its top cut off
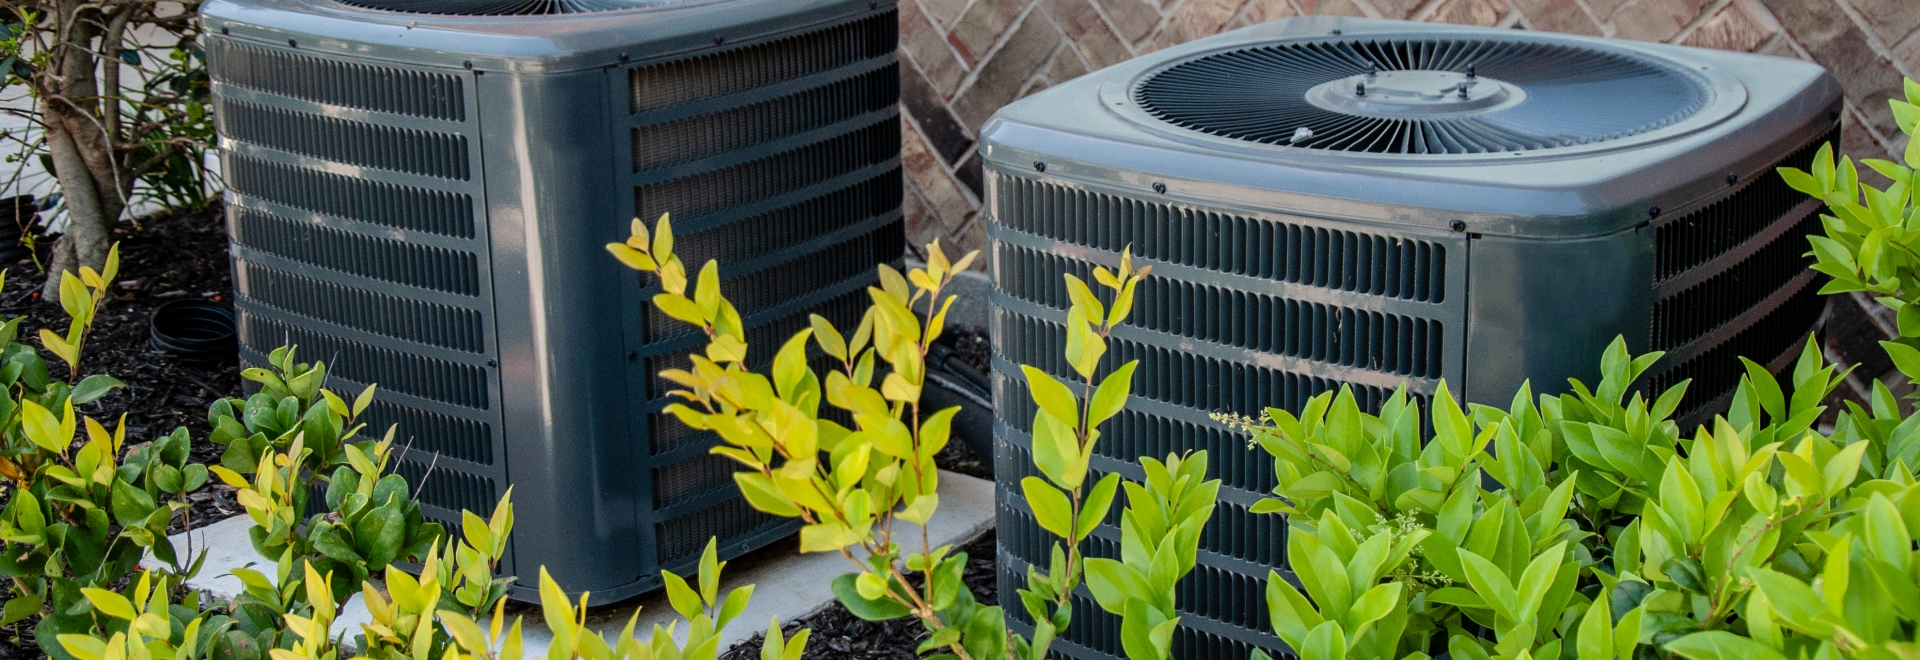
x=421, y=189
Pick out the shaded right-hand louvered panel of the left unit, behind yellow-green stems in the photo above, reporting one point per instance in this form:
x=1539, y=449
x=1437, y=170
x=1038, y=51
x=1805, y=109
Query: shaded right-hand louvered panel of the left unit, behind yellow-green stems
x=780, y=160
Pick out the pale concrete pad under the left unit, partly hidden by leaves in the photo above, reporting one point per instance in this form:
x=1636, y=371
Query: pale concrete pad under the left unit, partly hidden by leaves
x=788, y=584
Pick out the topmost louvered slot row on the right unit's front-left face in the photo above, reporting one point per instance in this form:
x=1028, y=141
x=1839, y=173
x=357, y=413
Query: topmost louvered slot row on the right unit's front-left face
x=1295, y=254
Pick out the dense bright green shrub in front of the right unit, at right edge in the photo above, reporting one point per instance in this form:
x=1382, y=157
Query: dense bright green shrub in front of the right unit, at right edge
x=1591, y=527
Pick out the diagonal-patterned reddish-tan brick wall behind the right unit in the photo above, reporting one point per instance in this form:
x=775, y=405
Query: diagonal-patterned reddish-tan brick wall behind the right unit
x=967, y=59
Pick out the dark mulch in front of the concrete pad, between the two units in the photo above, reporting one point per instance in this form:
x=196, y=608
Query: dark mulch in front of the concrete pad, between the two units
x=840, y=636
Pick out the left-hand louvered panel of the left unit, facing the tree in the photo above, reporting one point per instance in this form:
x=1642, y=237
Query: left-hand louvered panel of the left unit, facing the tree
x=383, y=273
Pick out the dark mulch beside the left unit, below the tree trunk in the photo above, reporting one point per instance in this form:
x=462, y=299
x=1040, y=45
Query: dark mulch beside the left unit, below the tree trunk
x=162, y=258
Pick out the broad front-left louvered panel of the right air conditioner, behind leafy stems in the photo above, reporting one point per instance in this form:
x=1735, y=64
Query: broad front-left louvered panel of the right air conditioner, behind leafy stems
x=1241, y=314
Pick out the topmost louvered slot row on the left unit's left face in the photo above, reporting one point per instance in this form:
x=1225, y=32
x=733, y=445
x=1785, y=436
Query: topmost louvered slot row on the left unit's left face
x=337, y=83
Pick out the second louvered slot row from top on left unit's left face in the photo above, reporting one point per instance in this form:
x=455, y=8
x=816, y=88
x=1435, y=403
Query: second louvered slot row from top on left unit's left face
x=354, y=143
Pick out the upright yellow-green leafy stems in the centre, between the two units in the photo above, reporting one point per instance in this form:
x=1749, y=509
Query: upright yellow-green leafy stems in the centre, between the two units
x=850, y=486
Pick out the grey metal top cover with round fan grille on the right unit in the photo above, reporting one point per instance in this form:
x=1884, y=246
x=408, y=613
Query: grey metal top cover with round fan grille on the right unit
x=1418, y=124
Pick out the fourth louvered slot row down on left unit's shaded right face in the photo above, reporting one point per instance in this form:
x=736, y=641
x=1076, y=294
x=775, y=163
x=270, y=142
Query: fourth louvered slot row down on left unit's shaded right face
x=767, y=233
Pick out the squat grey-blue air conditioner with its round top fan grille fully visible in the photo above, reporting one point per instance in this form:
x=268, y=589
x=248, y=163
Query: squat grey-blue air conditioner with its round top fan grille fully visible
x=1370, y=204
